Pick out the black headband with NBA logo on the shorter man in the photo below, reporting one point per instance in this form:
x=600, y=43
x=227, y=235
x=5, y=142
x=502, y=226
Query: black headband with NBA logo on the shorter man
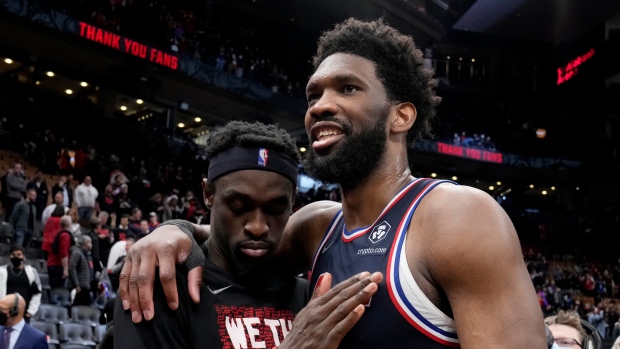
x=238, y=158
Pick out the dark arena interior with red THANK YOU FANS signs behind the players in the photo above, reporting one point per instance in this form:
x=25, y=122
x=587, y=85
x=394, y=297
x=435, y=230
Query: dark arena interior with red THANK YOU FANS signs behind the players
x=127, y=93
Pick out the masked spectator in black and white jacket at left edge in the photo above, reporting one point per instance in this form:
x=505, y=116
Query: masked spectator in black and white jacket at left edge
x=23, y=279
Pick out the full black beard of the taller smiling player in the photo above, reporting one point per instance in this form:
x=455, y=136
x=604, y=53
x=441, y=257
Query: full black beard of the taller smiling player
x=356, y=159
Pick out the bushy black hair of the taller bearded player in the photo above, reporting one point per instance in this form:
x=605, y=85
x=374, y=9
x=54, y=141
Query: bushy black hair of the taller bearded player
x=399, y=65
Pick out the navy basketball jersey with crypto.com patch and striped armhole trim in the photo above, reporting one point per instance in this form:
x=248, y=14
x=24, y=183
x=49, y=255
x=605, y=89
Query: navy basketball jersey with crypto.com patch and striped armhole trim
x=399, y=314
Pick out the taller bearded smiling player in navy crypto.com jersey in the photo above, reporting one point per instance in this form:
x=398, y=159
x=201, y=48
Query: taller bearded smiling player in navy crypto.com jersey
x=454, y=271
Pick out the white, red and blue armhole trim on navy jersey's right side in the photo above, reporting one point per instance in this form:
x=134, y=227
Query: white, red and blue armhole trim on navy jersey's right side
x=402, y=304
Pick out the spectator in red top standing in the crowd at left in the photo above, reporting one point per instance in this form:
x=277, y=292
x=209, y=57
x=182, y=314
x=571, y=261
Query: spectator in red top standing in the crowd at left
x=58, y=253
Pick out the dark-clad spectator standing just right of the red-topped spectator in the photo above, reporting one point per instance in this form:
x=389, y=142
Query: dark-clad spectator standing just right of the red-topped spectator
x=81, y=272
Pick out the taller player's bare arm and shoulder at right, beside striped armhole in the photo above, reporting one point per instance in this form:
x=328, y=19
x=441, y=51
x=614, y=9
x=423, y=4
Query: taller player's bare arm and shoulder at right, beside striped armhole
x=474, y=256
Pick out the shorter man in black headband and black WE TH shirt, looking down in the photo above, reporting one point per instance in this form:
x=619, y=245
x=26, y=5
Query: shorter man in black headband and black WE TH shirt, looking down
x=253, y=175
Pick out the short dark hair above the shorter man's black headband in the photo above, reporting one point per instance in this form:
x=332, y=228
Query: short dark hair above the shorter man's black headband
x=250, y=135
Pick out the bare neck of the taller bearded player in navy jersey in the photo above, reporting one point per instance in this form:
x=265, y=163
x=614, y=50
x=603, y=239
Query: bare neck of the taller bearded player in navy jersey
x=363, y=204
